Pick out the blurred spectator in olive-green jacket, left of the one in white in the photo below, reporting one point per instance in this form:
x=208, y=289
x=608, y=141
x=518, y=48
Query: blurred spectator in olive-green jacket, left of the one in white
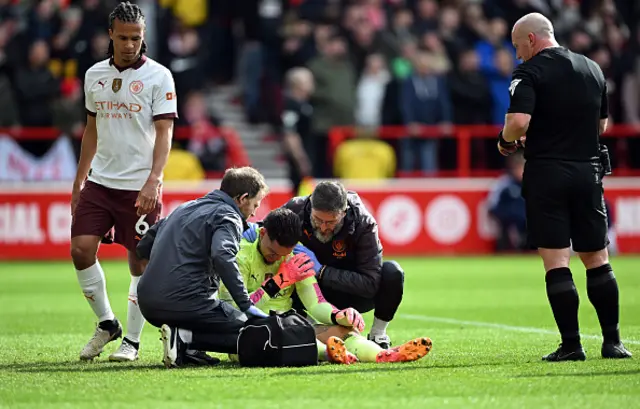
x=334, y=98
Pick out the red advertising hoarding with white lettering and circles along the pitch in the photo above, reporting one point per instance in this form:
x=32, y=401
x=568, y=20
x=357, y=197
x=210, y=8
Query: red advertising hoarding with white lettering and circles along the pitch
x=415, y=217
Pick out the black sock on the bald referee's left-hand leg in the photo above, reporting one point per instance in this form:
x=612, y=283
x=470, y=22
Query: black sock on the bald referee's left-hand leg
x=564, y=301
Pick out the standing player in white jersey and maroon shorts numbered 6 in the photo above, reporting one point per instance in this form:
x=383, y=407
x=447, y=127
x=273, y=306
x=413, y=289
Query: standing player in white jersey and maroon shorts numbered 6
x=116, y=196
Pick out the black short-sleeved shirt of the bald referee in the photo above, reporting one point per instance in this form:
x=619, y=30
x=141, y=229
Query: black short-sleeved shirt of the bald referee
x=566, y=95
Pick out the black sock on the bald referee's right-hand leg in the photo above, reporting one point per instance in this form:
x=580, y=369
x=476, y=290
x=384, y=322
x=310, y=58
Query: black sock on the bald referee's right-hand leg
x=602, y=289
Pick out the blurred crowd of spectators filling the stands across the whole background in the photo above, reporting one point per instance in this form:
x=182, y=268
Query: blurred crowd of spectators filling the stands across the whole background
x=290, y=71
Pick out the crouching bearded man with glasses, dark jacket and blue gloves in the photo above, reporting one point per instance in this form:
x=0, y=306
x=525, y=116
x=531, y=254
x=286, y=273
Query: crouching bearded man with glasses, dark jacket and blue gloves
x=341, y=238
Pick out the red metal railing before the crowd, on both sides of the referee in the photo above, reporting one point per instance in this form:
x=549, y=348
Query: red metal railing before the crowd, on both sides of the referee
x=464, y=134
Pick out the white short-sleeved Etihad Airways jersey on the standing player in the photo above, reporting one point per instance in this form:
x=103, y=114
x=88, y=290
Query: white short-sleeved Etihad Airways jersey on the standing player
x=125, y=104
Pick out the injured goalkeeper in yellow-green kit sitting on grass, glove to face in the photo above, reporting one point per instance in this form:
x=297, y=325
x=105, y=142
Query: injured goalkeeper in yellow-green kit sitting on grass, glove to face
x=272, y=273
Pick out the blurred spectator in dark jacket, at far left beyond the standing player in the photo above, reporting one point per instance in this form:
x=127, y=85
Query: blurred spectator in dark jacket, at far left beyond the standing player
x=36, y=88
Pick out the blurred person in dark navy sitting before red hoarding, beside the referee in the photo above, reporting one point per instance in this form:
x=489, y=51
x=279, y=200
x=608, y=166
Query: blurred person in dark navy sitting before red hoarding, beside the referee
x=506, y=206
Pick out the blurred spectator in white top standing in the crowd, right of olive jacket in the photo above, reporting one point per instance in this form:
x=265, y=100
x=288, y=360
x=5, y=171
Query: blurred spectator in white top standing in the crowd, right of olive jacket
x=370, y=93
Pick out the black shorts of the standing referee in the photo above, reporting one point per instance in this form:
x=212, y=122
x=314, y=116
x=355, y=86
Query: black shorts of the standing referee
x=565, y=205
